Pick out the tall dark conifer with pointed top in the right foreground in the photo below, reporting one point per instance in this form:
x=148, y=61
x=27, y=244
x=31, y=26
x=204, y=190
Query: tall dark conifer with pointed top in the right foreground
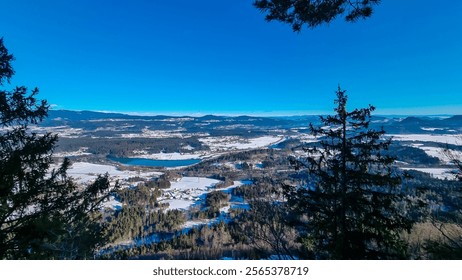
x=349, y=204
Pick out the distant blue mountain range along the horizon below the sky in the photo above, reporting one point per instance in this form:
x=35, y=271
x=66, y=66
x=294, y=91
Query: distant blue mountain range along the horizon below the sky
x=90, y=120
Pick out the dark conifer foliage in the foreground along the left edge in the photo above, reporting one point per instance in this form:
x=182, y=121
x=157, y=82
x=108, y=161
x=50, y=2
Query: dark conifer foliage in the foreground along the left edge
x=43, y=214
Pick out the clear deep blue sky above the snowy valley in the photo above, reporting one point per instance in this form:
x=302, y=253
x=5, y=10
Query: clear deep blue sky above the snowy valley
x=220, y=56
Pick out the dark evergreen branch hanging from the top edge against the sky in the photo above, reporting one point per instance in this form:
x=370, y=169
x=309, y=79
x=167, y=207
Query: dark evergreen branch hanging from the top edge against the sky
x=313, y=13
